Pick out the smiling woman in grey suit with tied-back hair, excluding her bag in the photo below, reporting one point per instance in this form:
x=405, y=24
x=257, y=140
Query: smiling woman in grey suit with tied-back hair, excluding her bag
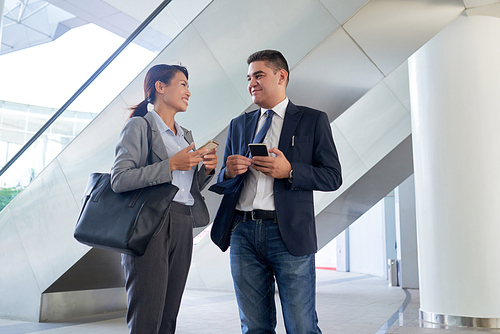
x=155, y=281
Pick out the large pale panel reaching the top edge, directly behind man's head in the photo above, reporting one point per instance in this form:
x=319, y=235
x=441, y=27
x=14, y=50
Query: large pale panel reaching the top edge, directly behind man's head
x=235, y=29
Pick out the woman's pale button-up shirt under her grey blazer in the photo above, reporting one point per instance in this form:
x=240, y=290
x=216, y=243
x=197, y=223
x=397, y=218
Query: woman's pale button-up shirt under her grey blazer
x=174, y=143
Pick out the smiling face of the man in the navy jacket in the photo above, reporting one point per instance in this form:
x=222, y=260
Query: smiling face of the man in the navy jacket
x=265, y=87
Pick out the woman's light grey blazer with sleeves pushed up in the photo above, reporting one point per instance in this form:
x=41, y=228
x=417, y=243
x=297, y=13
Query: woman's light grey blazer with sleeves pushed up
x=130, y=170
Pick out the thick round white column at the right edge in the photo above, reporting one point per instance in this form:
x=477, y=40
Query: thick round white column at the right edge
x=455, y=100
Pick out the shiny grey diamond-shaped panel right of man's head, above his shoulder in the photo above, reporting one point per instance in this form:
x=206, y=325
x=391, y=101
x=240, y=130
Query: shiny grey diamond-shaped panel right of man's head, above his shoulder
x=333, y=76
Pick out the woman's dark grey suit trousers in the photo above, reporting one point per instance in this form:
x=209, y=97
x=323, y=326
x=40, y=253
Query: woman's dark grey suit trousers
x=155, y=281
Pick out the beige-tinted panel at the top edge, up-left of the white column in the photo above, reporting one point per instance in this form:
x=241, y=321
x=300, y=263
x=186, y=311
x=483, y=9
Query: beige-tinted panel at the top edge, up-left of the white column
x=389, y=31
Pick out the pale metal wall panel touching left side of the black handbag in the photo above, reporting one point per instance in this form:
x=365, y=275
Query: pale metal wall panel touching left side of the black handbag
x=45, y=214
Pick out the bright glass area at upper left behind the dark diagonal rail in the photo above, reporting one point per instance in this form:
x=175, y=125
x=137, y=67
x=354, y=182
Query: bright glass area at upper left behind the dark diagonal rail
x=40, y=77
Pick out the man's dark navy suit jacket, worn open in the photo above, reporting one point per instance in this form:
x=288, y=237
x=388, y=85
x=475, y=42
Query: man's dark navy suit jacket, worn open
x=307, y=142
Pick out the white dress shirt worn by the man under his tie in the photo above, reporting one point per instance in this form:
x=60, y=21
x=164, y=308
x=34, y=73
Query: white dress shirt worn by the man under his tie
x=257, y=192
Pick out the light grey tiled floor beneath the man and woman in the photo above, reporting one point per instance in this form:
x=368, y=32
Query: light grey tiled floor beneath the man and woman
x=346, y=303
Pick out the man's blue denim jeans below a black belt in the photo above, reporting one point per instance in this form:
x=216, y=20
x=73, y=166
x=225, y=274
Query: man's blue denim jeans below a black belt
x=258, y=257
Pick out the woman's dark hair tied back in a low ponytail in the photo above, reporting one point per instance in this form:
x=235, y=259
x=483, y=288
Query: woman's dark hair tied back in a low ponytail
x=161, y=72
